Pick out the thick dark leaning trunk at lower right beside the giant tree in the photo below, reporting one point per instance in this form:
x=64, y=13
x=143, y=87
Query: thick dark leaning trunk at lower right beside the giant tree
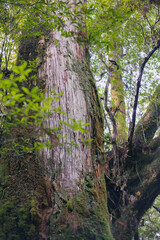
x=139, y=187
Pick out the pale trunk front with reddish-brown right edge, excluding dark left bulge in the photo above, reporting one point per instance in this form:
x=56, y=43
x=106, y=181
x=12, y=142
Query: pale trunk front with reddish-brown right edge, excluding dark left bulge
x=68, y=72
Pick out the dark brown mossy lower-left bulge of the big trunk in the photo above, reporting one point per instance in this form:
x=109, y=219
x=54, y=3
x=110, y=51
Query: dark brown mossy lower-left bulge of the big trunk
x=23, y=196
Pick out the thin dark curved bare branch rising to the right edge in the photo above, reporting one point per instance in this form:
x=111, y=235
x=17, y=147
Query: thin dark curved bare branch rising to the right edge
x=132, y=125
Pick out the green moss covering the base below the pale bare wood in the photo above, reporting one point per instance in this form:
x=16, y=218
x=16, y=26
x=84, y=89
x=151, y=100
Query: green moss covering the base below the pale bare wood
x=84, y=217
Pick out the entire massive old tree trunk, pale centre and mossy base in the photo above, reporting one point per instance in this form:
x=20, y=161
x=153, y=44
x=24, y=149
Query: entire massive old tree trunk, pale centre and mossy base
x=58, y=193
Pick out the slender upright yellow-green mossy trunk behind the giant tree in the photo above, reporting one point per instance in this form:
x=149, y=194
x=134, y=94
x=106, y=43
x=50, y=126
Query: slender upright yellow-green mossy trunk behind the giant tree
x=117, y=109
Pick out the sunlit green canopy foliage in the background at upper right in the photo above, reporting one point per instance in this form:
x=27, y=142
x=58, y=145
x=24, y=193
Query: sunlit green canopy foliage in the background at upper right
x=124, y=31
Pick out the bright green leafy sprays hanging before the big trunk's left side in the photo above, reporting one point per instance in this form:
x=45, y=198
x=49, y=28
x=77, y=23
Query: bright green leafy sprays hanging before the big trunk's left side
x=25, y=108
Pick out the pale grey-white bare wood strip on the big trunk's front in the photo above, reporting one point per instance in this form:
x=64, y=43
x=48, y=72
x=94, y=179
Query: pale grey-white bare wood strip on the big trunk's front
x=64, y=70
